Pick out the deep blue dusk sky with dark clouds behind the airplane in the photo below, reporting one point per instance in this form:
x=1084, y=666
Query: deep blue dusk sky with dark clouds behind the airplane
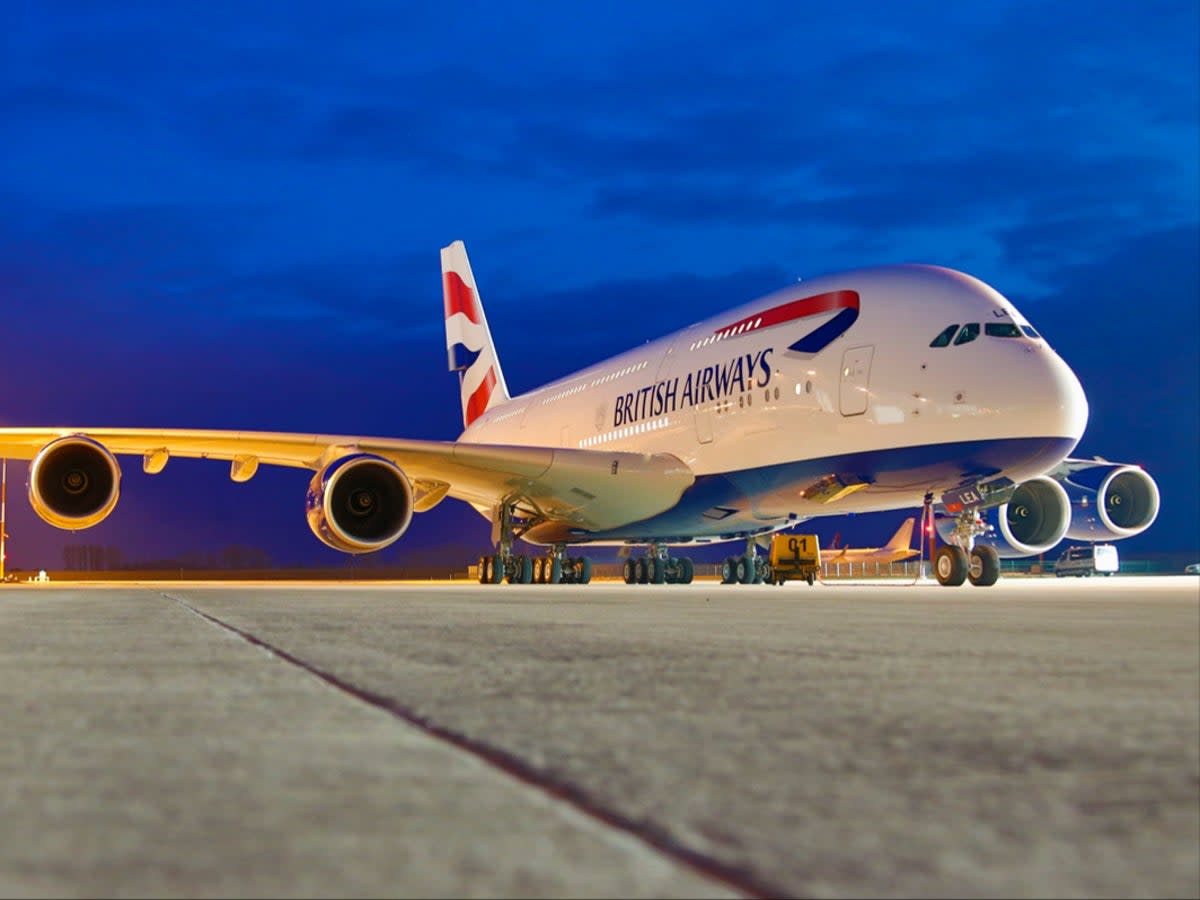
x=229, y=215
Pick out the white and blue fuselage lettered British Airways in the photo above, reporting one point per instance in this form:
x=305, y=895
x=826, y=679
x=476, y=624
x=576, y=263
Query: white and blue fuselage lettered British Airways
x=878, y=404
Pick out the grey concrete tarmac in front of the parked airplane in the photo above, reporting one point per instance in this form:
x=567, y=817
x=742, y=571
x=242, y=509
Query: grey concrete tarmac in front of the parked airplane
x=1039, y=739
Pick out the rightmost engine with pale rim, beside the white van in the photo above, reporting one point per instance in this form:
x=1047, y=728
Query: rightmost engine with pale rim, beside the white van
x=1109, y=501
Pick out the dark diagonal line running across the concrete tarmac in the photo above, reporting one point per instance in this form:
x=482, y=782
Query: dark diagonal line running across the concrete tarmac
x=655, y=837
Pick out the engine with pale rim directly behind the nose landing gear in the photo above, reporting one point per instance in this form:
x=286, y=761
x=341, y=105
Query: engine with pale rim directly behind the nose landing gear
x=1034, y=520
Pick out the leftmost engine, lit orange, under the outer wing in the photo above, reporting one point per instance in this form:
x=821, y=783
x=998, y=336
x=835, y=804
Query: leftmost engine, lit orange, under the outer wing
x=74, y=483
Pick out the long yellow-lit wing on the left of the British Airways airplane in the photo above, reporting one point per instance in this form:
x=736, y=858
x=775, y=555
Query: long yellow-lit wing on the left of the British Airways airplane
x=595, y=490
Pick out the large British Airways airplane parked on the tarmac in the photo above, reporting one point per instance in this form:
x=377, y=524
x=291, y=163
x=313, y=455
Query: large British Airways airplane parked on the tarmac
x=895, y=387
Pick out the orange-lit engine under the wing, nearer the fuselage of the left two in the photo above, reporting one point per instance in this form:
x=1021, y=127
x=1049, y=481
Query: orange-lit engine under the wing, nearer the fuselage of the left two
x=359, y=503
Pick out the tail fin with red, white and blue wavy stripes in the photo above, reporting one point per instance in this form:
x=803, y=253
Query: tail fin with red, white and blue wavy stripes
x=469, y=339
